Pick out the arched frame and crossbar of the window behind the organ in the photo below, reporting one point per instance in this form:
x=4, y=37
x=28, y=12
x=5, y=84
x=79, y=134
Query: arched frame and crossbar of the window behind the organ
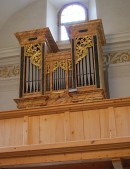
x=63, y=24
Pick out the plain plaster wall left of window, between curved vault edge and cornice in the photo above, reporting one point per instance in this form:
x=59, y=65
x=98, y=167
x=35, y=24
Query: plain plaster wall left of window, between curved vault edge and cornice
x=31, y=17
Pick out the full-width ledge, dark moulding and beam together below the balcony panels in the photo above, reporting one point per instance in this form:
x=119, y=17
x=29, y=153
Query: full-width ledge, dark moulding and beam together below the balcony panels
x=65, y=152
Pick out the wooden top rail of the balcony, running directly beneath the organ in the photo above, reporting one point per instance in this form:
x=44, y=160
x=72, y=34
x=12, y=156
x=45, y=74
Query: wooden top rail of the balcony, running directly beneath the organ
x=52, y=109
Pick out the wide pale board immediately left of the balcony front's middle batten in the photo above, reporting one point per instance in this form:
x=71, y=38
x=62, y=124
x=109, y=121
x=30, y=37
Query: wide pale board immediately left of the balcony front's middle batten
x=52, y=129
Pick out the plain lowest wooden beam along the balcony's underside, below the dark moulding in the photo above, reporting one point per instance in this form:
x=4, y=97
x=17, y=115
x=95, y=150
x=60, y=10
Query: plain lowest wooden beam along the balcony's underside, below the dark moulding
x=63, y=158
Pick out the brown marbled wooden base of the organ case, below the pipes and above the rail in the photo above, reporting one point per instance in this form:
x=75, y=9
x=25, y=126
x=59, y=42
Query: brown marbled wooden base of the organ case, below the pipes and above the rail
x=83, y=94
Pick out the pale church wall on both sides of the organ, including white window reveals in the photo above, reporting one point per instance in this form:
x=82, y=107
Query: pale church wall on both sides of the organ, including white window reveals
x=42, y=13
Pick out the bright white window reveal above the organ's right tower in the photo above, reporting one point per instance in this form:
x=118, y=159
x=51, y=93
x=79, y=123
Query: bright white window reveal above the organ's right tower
x=92, y=10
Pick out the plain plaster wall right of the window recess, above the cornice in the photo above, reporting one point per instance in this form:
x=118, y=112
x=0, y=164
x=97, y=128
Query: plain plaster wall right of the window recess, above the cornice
x=115, y=15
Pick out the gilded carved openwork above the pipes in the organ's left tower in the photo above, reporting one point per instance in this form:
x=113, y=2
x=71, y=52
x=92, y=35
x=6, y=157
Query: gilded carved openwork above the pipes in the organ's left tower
x=34, y=51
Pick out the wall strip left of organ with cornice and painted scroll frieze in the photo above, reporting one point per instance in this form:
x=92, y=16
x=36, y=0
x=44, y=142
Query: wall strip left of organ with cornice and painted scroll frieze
x=9, y=78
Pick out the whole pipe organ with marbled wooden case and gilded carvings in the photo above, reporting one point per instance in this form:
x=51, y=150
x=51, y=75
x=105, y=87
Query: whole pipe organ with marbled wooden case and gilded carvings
x=49, y=76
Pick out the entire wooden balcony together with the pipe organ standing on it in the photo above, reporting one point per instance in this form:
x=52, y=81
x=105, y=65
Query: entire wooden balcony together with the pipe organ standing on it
x=64, y=120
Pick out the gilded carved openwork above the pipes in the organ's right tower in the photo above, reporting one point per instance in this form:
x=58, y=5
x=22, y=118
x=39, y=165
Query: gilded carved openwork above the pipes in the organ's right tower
x=82, y=44
